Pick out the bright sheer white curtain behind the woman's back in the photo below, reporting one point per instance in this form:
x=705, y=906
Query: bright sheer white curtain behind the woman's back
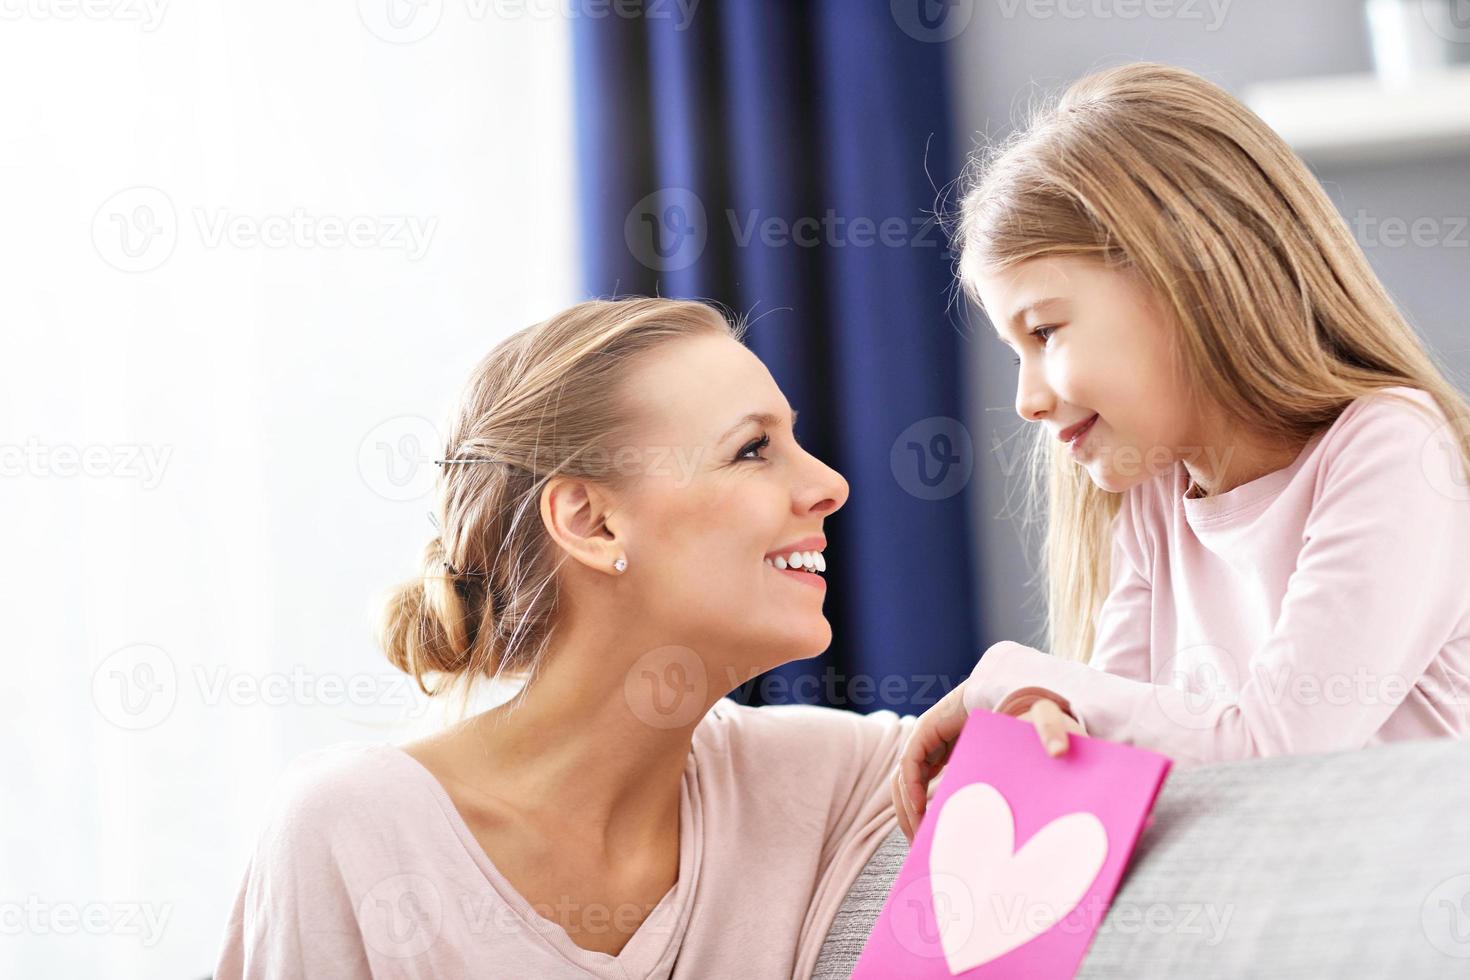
x=249, y=255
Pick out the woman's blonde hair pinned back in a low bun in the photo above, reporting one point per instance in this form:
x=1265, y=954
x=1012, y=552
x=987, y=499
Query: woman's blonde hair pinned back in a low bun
x=549, y=400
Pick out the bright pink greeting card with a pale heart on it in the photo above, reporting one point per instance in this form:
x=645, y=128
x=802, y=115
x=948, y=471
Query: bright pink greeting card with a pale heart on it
x=1018, y=857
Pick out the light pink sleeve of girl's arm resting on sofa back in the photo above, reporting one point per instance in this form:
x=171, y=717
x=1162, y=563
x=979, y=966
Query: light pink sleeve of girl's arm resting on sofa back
x=1377, y=593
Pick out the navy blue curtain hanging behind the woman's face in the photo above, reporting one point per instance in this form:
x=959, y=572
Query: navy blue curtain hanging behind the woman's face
x=777, y=158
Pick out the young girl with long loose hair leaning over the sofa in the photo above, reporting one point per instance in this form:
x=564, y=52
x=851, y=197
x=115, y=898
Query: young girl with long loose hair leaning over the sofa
x=1259, y=522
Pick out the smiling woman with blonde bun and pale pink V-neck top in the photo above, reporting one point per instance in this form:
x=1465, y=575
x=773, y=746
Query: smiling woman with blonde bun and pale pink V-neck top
x=630, y=525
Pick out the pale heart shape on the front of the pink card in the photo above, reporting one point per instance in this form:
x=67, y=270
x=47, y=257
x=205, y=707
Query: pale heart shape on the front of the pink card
x=1012, y=897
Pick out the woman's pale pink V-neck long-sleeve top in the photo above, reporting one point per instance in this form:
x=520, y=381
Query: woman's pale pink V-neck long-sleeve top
x=365, y=869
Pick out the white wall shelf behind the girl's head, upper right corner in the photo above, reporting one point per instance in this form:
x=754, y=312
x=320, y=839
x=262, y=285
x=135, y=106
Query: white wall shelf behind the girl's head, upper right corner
x=1356, y=118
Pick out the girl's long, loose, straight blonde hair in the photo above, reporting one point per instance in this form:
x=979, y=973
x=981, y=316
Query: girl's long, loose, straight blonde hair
x=1280, y=320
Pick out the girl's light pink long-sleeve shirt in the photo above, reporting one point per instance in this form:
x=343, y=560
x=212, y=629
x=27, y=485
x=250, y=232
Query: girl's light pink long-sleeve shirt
x=1325, y=606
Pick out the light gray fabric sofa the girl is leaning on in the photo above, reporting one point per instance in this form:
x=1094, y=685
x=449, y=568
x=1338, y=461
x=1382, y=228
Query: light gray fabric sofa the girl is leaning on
x=1344, y=865
